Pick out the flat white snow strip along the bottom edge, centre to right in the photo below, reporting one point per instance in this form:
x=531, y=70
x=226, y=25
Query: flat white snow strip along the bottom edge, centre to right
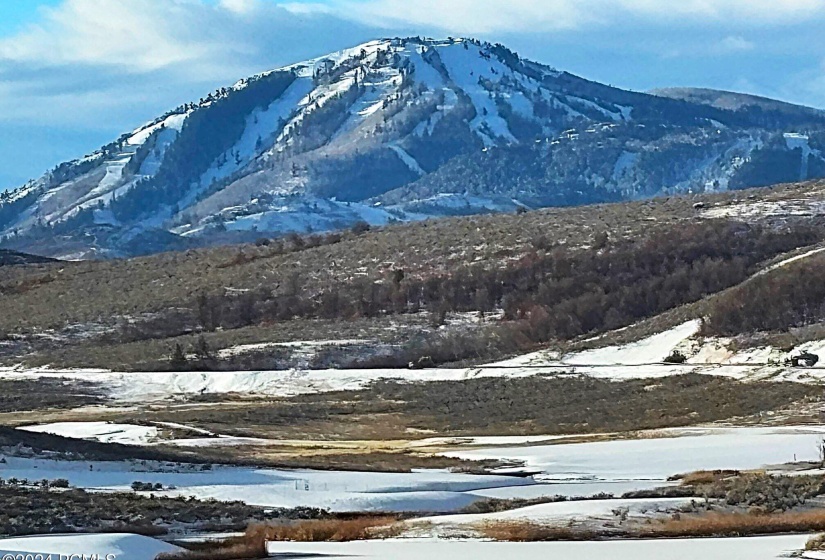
x=754, y=548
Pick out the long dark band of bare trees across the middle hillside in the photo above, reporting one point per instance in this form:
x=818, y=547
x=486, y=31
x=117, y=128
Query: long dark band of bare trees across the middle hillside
x=556, y=292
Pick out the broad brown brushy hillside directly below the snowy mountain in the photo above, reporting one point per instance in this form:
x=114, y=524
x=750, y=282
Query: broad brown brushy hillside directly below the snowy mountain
x=449, y=290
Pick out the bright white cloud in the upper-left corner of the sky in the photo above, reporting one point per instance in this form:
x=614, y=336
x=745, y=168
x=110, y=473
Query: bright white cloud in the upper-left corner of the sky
x=198, y=36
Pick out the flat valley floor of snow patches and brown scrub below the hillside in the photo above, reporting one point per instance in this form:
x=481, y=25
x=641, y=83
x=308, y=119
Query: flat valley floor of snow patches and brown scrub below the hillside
x=467, y=454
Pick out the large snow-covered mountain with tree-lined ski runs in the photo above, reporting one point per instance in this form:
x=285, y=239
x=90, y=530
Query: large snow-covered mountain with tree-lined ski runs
x=398, y=129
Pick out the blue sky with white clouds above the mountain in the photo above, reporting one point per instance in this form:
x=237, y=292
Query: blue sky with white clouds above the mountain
x=74, y=74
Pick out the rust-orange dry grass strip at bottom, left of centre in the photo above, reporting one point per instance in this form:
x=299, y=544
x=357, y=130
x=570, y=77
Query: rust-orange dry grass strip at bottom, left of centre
x=326, y=530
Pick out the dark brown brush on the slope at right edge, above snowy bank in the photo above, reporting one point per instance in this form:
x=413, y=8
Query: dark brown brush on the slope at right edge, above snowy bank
x=791, y=296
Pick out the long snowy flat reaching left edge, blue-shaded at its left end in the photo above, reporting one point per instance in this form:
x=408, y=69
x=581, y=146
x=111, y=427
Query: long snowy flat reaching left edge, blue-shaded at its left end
x=424, y=491
